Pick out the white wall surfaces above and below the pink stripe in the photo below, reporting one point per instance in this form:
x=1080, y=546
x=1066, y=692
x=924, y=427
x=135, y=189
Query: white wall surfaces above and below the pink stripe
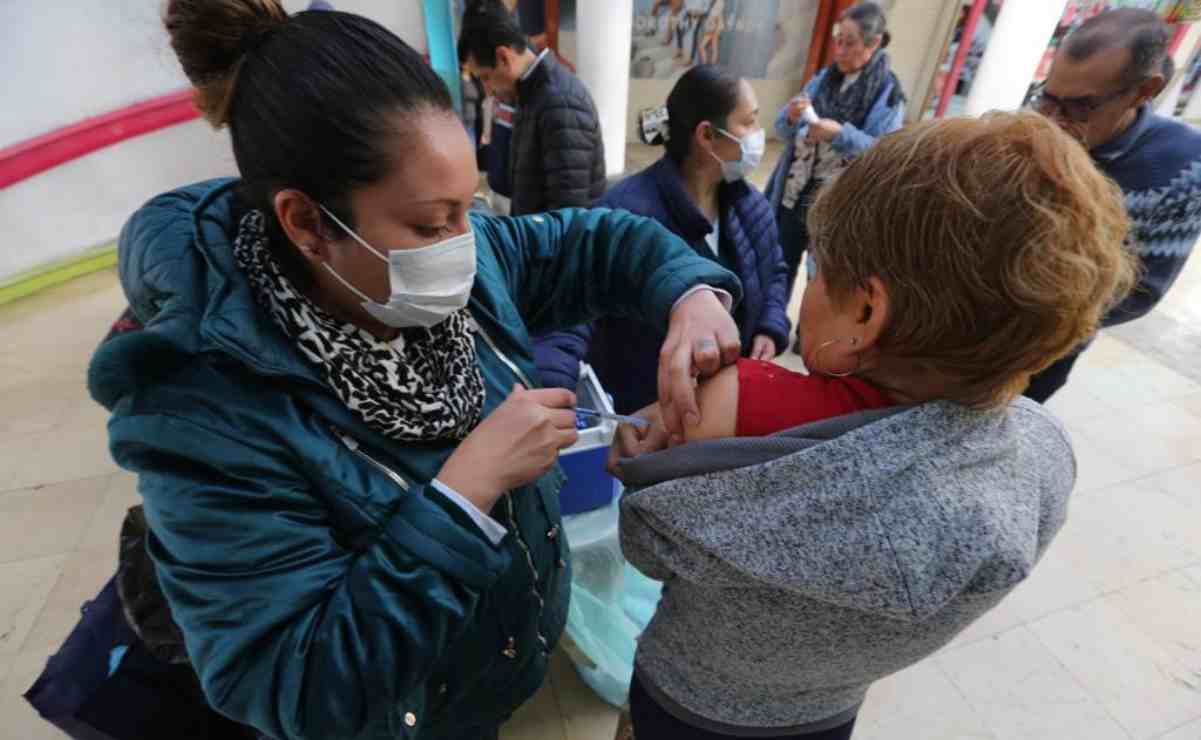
x=67, y=61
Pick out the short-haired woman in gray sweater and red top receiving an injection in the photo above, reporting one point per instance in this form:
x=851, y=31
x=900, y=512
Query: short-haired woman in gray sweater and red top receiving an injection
x=954, y=261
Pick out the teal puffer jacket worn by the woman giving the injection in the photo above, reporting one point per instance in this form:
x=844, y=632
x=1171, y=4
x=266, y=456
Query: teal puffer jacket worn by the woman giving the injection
x=324, y=589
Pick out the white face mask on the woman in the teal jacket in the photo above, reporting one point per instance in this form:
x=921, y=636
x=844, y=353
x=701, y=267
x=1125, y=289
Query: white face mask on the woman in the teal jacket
x=428, y=284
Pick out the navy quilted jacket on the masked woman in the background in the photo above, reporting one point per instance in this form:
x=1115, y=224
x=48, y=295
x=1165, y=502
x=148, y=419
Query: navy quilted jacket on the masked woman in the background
x=625, y=354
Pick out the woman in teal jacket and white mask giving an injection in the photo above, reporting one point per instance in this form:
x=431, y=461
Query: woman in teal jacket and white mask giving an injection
x=348, y=473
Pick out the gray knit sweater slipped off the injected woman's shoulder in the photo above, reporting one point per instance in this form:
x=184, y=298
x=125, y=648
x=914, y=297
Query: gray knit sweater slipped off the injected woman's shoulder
x=861, y=547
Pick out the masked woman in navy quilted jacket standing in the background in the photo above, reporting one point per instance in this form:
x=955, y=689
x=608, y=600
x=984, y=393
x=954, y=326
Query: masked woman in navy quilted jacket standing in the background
x=700, y=192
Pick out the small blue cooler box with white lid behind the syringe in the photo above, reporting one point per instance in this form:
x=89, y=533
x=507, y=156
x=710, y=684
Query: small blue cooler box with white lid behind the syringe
x=589, y=486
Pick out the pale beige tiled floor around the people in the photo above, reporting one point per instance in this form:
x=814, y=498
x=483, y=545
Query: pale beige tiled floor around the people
x=1103, y=642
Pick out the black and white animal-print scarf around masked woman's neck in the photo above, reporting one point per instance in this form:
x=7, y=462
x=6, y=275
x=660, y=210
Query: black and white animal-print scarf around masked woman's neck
x=423, y=386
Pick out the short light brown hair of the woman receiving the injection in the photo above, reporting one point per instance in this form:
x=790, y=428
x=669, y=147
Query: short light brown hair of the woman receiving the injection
x=999, y=241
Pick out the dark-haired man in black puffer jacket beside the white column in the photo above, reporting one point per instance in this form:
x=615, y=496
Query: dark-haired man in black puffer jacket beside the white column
x=557, y=156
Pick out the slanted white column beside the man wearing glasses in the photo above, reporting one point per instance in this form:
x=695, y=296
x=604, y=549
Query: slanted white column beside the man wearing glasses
x=1015, y=49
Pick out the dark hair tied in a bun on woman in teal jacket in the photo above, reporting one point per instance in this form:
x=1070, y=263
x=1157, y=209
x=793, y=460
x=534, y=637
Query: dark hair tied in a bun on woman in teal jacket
x=309, y=99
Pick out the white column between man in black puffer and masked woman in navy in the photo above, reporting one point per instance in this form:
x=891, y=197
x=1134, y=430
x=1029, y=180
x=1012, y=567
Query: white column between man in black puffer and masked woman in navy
x=605, y=35
